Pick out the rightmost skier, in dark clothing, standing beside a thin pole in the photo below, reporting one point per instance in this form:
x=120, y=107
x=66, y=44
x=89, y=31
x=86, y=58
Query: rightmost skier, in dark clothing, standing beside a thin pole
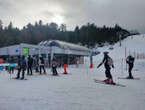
x=130, y=61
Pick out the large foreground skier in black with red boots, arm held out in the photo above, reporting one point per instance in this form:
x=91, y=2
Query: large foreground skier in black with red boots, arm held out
x=108, y=62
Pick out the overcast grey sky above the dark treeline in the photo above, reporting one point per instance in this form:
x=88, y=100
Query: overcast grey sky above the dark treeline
x=129, y=14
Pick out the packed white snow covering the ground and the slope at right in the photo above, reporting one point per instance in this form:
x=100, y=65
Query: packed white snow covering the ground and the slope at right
x=77, y=90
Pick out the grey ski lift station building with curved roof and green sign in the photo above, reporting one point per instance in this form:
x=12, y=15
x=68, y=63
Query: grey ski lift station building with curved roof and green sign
x=59, y=51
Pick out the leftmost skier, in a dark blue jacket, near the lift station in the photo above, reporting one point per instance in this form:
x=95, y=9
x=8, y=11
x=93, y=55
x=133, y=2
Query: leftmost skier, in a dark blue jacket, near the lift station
x=22, y=66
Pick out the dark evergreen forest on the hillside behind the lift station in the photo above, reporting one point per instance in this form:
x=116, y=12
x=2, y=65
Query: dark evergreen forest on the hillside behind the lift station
x=89, y=34
